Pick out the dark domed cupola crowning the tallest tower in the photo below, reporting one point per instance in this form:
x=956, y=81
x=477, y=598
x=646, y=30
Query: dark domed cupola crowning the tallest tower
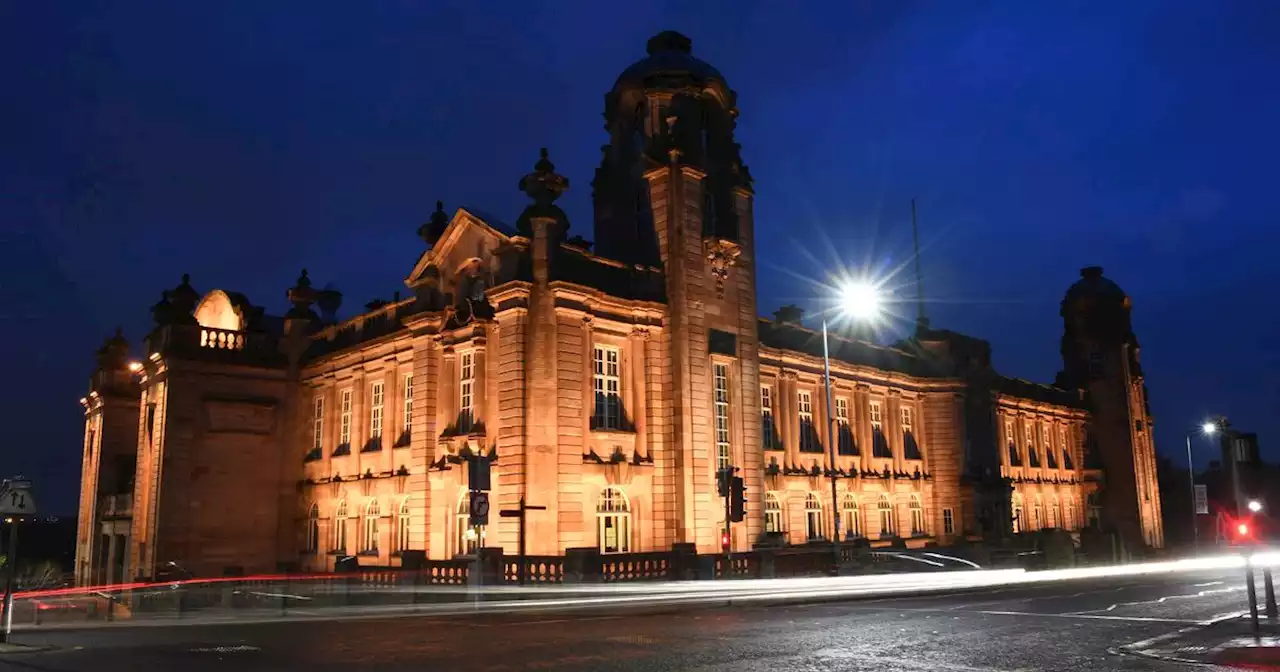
x=666, y=108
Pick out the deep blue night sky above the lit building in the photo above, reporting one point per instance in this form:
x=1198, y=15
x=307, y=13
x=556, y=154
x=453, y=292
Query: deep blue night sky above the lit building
x=243, y=141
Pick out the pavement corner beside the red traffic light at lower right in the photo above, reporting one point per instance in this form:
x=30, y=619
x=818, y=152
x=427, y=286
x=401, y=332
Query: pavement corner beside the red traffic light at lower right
x=1229, y=642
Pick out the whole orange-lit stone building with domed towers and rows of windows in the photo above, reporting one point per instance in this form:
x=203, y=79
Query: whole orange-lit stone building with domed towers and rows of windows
x=610, y=382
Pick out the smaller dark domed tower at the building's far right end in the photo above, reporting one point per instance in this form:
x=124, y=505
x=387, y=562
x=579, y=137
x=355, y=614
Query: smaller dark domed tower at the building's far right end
x=1100, y=356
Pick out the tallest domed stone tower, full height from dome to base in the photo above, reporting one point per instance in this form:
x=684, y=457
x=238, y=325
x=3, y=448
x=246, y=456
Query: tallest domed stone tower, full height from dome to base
x=673, y=193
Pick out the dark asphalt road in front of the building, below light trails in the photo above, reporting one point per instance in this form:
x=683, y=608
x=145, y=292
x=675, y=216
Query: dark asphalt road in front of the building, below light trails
x=1067, y=627
